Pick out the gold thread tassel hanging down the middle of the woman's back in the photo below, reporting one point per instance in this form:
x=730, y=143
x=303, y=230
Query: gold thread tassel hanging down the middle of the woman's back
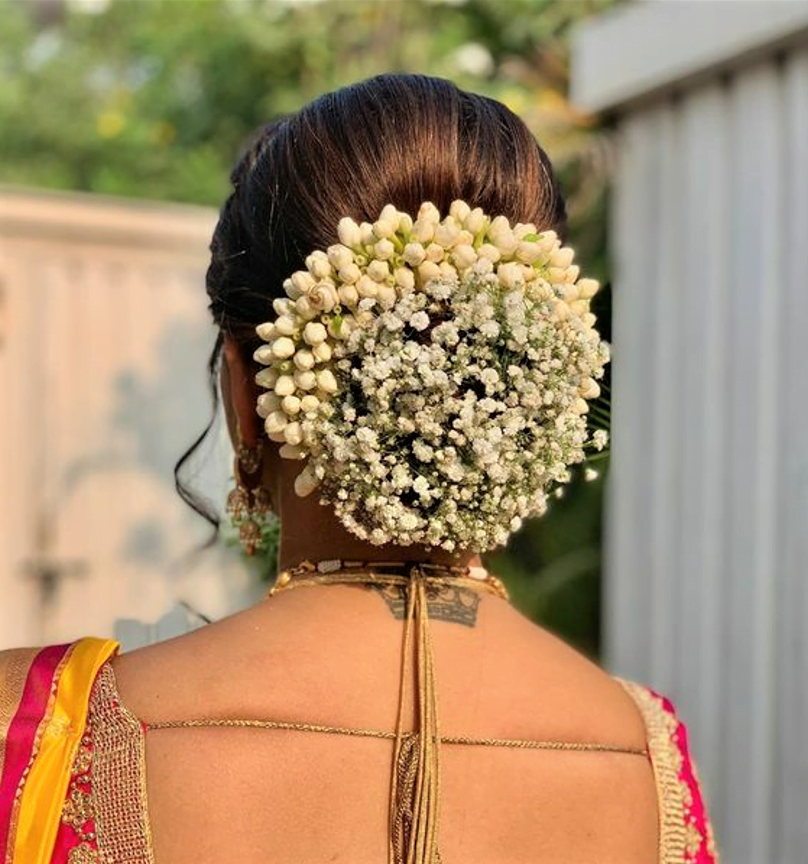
x=415, y=783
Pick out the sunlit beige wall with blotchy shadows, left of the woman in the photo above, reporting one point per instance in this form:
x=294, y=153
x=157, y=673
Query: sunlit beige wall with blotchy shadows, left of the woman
x=104, y=385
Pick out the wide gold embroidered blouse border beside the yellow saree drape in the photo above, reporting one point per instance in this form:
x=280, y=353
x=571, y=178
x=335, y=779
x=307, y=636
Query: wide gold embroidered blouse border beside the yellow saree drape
x=119, y=778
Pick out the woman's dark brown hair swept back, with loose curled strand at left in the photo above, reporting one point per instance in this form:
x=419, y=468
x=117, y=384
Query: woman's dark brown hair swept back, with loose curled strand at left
x=393, y=139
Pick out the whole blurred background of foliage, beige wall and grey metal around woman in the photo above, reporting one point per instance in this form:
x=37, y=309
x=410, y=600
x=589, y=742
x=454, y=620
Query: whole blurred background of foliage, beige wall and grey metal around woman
x=679, y=129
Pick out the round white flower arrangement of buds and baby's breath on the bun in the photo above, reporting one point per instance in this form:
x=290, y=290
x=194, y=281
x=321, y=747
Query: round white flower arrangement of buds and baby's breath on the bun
x=435, y=374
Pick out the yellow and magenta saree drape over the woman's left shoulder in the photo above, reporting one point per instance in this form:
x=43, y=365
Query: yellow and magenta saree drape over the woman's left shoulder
x=44, y=699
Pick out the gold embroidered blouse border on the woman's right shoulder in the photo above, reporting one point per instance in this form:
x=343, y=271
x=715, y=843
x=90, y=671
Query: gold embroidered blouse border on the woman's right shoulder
x=666, y=760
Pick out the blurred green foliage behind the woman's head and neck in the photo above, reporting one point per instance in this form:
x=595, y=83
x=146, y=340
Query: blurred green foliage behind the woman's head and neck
x=154, y=99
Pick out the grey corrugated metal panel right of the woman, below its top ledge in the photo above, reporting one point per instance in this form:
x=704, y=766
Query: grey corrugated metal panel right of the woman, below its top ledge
x=706, y=593
